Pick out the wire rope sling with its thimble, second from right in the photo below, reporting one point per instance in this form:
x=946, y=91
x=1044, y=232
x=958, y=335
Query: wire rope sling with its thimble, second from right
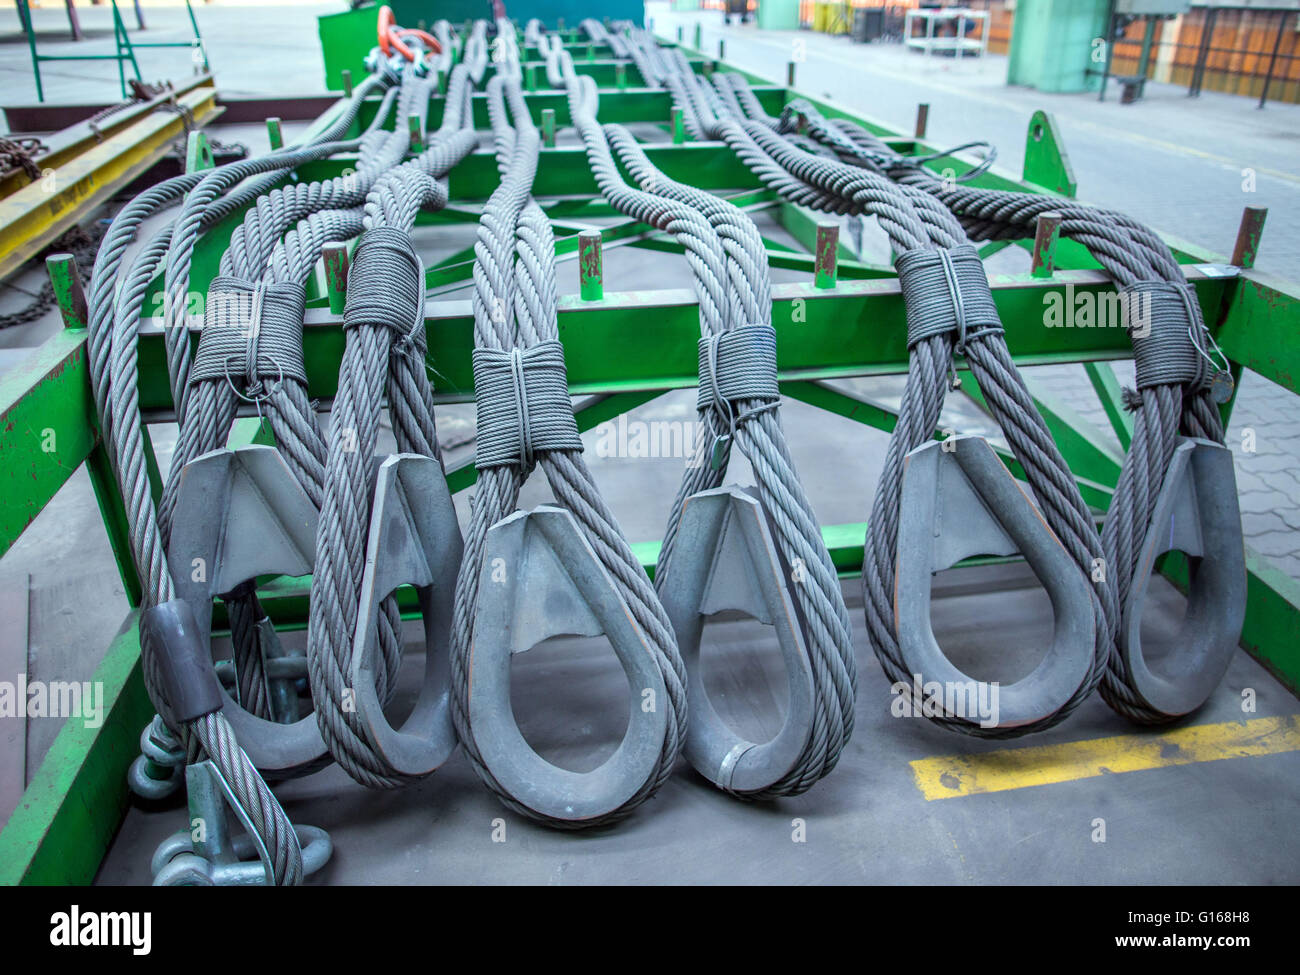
x=937, y=504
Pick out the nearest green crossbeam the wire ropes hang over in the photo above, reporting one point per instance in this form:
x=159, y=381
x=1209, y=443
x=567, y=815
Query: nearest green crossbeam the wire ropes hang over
x=857, y=330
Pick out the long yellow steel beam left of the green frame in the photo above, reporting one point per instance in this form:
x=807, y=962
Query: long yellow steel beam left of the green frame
x=40, y=213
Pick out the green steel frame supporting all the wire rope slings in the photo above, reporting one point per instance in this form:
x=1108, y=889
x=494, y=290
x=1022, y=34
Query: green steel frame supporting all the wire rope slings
x=851, y=324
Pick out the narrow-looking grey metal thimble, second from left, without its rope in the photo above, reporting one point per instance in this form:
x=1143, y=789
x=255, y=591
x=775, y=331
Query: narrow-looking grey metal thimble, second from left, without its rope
x=415, y=540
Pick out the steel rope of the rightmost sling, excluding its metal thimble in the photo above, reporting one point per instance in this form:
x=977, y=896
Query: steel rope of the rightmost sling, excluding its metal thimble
x=1172, y=396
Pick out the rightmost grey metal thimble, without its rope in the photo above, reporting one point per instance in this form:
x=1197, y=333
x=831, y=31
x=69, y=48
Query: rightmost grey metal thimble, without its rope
x=1197, y=514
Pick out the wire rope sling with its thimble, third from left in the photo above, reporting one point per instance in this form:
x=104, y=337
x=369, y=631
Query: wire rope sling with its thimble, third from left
x=561, y=569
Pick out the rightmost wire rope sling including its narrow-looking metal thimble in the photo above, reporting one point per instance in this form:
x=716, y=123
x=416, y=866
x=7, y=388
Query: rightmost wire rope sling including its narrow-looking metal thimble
x=1177, y=488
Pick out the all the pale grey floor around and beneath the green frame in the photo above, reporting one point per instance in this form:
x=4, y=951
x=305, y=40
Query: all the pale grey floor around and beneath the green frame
x=1173, y=162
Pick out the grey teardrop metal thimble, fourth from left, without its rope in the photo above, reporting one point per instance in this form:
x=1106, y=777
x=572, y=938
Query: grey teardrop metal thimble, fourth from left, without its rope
x=725, y=560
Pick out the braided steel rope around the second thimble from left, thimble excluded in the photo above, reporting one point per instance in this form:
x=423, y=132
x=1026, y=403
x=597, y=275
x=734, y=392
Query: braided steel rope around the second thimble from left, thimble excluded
x=385, y=344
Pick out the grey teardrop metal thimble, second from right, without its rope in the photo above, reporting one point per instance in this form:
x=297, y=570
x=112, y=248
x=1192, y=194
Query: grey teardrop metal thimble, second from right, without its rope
x=959, y=501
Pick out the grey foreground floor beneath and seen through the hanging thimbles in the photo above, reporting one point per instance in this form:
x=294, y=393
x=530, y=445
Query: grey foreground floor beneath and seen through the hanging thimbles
x=1228, y=822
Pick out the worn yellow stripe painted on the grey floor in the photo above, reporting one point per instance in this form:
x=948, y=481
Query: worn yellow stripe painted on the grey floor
x=948, y=777
